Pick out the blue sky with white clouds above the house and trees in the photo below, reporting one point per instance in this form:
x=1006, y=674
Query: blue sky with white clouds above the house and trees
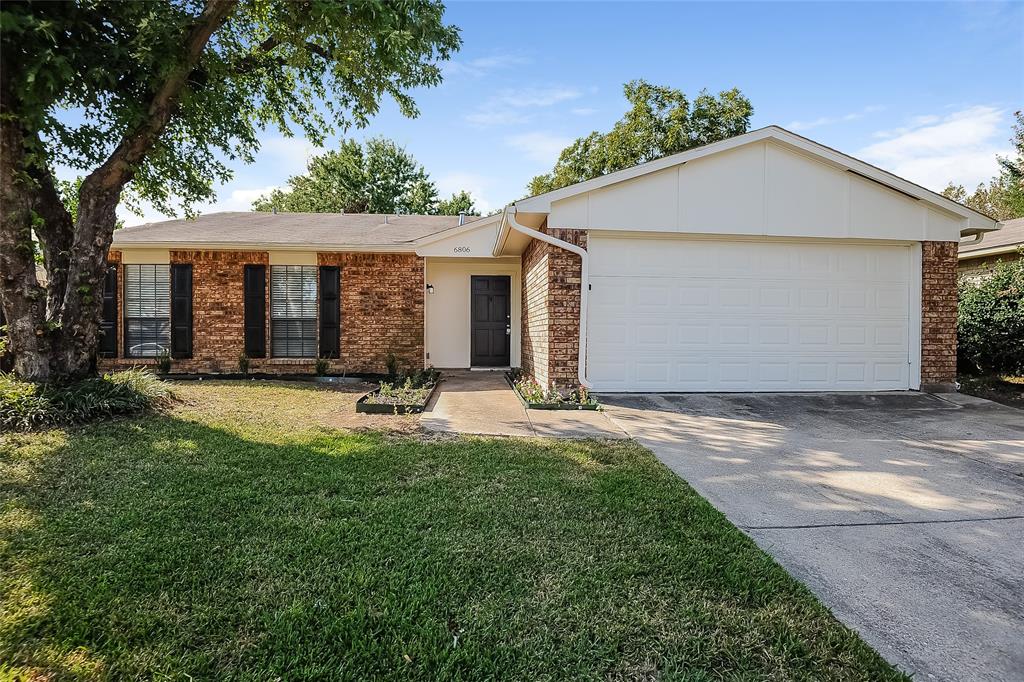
x=926, y=91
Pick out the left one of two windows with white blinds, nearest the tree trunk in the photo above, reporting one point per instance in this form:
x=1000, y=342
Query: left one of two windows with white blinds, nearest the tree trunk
x=148, y=311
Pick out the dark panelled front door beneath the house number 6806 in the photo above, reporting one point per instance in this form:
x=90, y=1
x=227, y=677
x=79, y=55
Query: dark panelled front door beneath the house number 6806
x=491, y=323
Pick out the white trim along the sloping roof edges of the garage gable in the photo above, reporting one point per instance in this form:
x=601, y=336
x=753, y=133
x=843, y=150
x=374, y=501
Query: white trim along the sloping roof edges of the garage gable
x=979, y=222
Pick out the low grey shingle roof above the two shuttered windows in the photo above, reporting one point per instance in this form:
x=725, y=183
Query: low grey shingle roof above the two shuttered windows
x=248, y=229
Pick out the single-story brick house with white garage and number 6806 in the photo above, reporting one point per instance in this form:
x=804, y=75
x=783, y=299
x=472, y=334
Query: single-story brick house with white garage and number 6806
x=764, y=263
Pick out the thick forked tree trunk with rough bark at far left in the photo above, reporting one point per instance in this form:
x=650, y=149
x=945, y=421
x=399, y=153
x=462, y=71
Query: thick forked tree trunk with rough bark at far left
x=54, y=332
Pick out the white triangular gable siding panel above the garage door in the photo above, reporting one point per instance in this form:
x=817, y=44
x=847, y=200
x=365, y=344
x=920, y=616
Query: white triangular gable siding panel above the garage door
x=763, y=189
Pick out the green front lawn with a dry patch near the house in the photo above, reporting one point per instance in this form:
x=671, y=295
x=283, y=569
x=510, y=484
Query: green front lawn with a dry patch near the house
x=238, y=537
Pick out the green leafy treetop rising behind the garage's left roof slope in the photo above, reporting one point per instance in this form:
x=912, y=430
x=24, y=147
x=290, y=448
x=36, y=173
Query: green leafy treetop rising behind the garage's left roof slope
x=661, y=121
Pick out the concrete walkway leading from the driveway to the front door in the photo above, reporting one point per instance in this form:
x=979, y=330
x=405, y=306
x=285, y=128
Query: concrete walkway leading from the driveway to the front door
x=483, y=404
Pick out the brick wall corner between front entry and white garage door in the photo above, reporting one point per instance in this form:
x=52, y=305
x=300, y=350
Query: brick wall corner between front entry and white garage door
x=551, y=279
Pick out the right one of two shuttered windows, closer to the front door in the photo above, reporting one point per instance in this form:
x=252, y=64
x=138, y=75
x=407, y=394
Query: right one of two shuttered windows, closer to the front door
x=293, y=311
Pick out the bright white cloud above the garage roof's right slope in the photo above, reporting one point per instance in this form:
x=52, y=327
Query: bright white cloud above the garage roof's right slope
x=933, y=151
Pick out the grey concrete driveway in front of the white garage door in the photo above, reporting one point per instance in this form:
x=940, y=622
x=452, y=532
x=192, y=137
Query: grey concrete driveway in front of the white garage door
x=904, y=513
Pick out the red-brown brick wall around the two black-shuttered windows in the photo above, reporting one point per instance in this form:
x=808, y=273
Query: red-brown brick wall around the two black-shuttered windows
x=381, y=313
